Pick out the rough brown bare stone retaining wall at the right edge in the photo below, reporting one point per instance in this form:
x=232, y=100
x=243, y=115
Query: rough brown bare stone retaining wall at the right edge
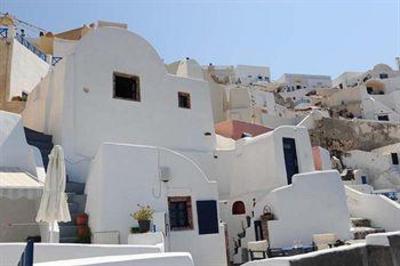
x=338, y=135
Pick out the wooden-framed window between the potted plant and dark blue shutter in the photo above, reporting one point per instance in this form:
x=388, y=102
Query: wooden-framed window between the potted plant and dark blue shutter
x=180, y=213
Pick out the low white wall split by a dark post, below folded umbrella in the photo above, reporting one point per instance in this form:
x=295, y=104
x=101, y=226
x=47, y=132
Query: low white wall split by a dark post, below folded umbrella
x=10, y=253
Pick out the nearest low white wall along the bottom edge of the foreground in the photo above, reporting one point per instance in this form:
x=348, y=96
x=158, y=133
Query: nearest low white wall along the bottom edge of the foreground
x=165, y=259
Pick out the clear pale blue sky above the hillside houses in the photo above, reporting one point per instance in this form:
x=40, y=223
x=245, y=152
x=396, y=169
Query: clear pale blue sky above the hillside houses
x=309, y=36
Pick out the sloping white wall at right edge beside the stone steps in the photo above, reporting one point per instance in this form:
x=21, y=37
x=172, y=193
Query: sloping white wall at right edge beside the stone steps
x=382, y=211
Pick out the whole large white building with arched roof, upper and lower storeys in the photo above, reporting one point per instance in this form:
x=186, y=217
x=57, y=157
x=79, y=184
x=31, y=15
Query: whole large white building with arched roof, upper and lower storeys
x=114, y=88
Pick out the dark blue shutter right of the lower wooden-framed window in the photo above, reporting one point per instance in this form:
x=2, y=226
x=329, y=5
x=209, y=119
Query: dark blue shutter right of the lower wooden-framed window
x=207, y=217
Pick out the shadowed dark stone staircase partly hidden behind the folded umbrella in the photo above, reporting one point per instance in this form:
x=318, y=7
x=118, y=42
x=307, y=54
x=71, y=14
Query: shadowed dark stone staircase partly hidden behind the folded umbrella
x=75, y=191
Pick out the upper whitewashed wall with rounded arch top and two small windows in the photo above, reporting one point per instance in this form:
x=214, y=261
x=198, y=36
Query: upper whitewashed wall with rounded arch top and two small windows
x=93, y=117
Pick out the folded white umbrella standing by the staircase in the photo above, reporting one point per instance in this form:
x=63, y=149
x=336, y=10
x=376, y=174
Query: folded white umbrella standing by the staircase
x=53, y=205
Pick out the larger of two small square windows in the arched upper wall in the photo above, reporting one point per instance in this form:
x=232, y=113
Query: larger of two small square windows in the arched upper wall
x=126, y=87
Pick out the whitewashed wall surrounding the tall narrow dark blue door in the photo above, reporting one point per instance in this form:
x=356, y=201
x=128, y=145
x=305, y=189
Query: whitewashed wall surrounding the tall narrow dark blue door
x=257, y=164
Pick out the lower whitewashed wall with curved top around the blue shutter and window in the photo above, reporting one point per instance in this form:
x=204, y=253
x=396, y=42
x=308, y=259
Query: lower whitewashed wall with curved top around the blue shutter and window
x=123, y=176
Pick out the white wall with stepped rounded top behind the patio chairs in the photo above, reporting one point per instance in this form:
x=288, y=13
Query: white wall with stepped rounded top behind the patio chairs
x=314, y=204
